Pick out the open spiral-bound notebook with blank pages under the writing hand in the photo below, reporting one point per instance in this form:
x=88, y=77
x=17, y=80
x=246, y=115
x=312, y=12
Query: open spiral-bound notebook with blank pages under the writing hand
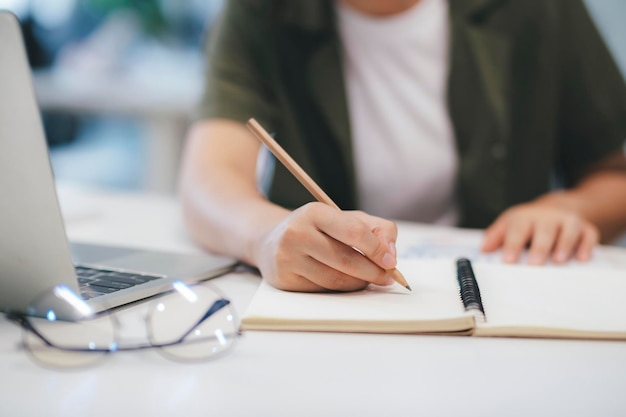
x=518, y=301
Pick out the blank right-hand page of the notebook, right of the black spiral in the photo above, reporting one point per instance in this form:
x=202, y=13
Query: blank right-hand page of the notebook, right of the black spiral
x=553, y=297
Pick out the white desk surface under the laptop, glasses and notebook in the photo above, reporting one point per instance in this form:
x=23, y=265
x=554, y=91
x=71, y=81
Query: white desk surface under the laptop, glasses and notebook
x=307, y=374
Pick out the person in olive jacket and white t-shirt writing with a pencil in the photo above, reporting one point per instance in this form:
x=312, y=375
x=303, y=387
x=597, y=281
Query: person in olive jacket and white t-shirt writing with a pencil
x=508, y=115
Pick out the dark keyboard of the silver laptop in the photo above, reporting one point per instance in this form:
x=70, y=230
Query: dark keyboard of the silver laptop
x=95, y=282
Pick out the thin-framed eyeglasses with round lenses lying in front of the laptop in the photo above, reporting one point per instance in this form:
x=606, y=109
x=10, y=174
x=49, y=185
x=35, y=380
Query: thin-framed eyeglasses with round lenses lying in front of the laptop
x=187, y=323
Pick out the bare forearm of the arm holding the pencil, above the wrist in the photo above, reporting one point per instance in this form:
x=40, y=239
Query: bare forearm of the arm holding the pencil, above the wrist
x=223, y=210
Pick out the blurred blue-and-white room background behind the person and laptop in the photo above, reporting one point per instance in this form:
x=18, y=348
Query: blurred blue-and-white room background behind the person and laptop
x=118, y=81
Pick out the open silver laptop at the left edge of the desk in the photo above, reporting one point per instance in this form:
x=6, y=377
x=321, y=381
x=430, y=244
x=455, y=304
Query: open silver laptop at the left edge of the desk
x=35, y=255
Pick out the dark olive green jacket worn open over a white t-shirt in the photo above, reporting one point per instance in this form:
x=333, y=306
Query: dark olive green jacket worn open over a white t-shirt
x=533, y=95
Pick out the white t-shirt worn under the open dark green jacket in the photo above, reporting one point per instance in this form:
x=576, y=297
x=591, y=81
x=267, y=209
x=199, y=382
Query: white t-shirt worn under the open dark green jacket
x=396, y=71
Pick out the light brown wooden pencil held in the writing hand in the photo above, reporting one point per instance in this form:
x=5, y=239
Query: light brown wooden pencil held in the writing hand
x=305, y=180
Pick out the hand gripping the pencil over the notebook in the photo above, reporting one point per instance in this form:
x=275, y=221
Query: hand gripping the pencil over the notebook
x=313, y=249
